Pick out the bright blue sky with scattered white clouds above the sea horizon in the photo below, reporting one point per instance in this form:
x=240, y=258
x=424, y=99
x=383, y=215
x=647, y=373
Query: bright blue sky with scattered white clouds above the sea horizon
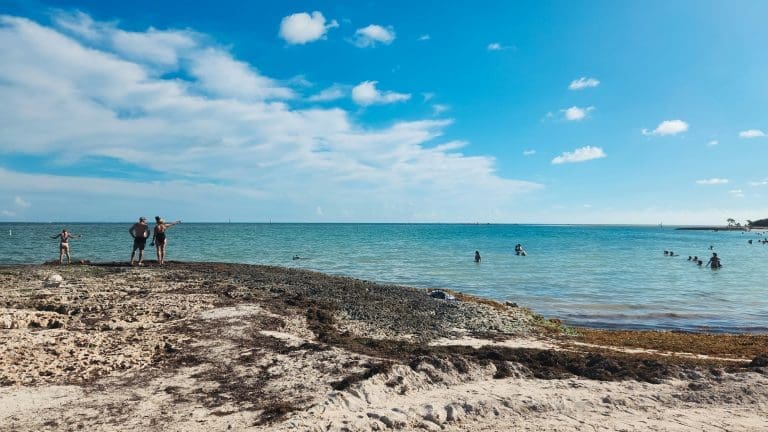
x=583, y=112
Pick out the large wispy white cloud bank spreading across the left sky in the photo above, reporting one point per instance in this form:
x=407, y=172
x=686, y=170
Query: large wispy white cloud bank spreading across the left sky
x=217, y=130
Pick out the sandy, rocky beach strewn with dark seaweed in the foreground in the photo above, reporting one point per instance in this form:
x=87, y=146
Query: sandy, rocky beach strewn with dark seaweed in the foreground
x=198, y=346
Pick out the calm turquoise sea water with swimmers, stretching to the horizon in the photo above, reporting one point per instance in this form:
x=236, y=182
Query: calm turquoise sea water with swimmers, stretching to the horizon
x=601, y=276
